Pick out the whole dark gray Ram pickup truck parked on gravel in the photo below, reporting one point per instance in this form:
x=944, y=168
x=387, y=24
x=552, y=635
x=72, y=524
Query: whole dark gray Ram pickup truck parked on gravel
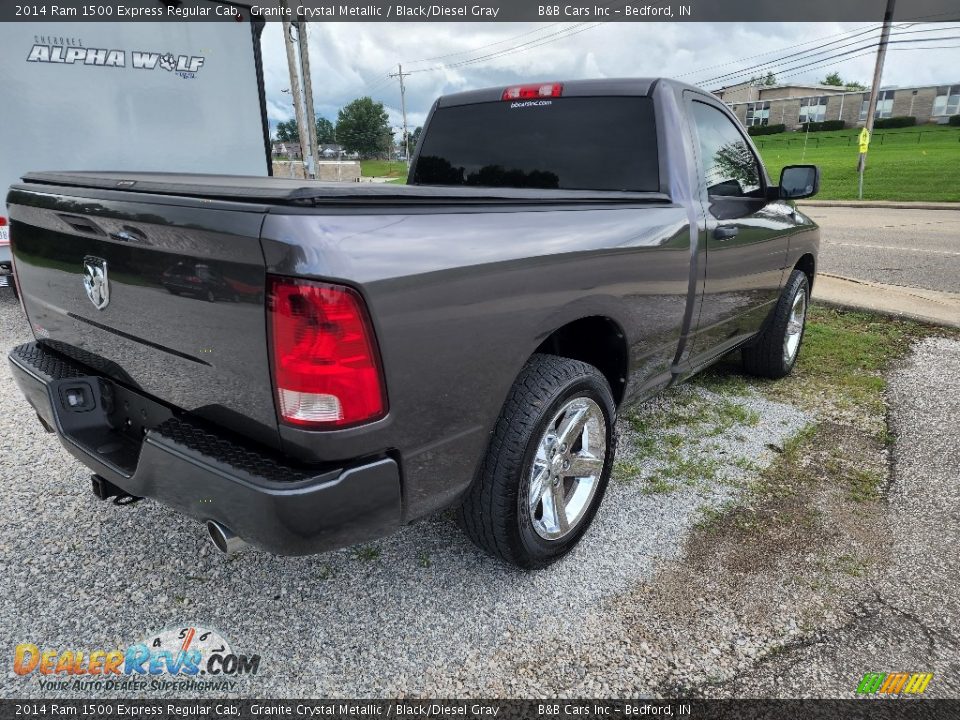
x=304, y=366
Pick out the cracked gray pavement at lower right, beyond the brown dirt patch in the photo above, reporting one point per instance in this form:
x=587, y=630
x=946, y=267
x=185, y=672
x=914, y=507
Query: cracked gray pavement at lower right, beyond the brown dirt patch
x=905, y=618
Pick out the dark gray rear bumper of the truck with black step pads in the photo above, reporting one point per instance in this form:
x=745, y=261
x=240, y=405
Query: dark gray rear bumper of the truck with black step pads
x=285, y=509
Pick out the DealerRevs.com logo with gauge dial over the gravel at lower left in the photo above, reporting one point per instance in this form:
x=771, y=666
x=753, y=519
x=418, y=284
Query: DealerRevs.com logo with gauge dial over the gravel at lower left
x=180, y=658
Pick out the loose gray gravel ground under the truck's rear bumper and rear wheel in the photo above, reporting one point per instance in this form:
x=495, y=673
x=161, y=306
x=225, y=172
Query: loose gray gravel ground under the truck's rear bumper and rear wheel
x=420, y=613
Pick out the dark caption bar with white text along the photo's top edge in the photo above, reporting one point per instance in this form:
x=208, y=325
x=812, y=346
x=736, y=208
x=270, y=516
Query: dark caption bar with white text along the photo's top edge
x=404, y=11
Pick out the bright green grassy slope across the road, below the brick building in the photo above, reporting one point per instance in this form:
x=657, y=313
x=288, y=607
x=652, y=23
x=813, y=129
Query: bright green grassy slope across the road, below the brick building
x=898, y=166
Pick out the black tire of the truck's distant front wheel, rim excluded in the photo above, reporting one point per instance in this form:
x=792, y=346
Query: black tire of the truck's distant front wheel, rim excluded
x=767, y=356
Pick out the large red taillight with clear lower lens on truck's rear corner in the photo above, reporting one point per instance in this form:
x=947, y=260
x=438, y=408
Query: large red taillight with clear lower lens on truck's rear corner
x=325, y=364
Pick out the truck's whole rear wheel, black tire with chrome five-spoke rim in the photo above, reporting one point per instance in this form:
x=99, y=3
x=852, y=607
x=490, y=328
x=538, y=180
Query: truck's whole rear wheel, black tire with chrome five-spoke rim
x=547, y=466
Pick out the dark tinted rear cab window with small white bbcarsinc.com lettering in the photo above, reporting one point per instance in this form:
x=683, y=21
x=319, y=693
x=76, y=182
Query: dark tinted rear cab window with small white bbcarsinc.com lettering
x=575, y=143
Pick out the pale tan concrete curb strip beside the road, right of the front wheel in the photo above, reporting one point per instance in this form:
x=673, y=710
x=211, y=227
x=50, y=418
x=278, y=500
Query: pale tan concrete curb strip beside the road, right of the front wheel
x=930, y=306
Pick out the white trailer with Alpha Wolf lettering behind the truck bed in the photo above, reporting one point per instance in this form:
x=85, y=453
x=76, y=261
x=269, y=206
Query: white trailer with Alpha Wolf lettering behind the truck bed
x=162, y=96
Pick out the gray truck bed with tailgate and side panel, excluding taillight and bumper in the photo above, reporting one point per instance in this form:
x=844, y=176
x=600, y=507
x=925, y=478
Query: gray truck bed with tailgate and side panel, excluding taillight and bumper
x=446, y=274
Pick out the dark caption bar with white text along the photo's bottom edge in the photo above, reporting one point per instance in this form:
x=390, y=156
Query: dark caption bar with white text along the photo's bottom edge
x=867, y=709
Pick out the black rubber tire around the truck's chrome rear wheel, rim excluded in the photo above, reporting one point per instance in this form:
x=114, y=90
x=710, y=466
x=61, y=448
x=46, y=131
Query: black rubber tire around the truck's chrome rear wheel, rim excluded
x=495, y=513
